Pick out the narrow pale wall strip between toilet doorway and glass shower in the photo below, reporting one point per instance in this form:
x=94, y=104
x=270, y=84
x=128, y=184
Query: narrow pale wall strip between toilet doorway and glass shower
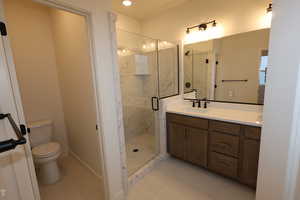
x=107, y=92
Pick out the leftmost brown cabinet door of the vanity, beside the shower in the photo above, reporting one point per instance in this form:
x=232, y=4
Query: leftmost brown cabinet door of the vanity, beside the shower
x=176, y=140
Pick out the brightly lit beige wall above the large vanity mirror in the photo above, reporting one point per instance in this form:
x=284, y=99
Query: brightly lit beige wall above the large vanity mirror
x=233, y=17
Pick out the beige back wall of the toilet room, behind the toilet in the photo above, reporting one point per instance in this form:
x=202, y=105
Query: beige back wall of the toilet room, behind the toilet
x=29, y=27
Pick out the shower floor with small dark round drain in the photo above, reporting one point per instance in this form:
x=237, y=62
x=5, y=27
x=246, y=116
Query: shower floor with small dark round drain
x=145, y=151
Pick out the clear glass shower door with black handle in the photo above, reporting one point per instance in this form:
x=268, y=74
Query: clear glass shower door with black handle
x=137, y=57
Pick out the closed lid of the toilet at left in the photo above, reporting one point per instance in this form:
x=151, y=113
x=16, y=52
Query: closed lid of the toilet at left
x=46, y=150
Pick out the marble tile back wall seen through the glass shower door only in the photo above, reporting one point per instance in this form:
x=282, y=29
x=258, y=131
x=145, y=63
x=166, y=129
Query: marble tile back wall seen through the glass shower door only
x=137, y=91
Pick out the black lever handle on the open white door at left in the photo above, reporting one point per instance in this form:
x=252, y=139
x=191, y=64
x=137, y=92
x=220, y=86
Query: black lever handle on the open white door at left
x=11, y=144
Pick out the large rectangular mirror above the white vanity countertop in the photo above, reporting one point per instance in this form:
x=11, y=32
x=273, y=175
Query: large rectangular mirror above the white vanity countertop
x=230, y=69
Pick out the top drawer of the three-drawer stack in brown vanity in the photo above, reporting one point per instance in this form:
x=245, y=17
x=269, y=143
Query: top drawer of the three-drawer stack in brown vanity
x=225, y=127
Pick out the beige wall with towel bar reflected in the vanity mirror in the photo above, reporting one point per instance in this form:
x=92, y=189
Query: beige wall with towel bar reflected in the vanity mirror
x=239, y=58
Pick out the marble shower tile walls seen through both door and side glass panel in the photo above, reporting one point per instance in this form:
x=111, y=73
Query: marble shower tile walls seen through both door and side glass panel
x=137, y=90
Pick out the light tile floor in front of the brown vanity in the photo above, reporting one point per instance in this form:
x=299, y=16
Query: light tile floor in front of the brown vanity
x=177, y=180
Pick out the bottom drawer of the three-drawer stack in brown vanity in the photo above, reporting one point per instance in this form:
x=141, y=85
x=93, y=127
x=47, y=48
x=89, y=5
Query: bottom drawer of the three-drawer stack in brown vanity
x=222, y=164
